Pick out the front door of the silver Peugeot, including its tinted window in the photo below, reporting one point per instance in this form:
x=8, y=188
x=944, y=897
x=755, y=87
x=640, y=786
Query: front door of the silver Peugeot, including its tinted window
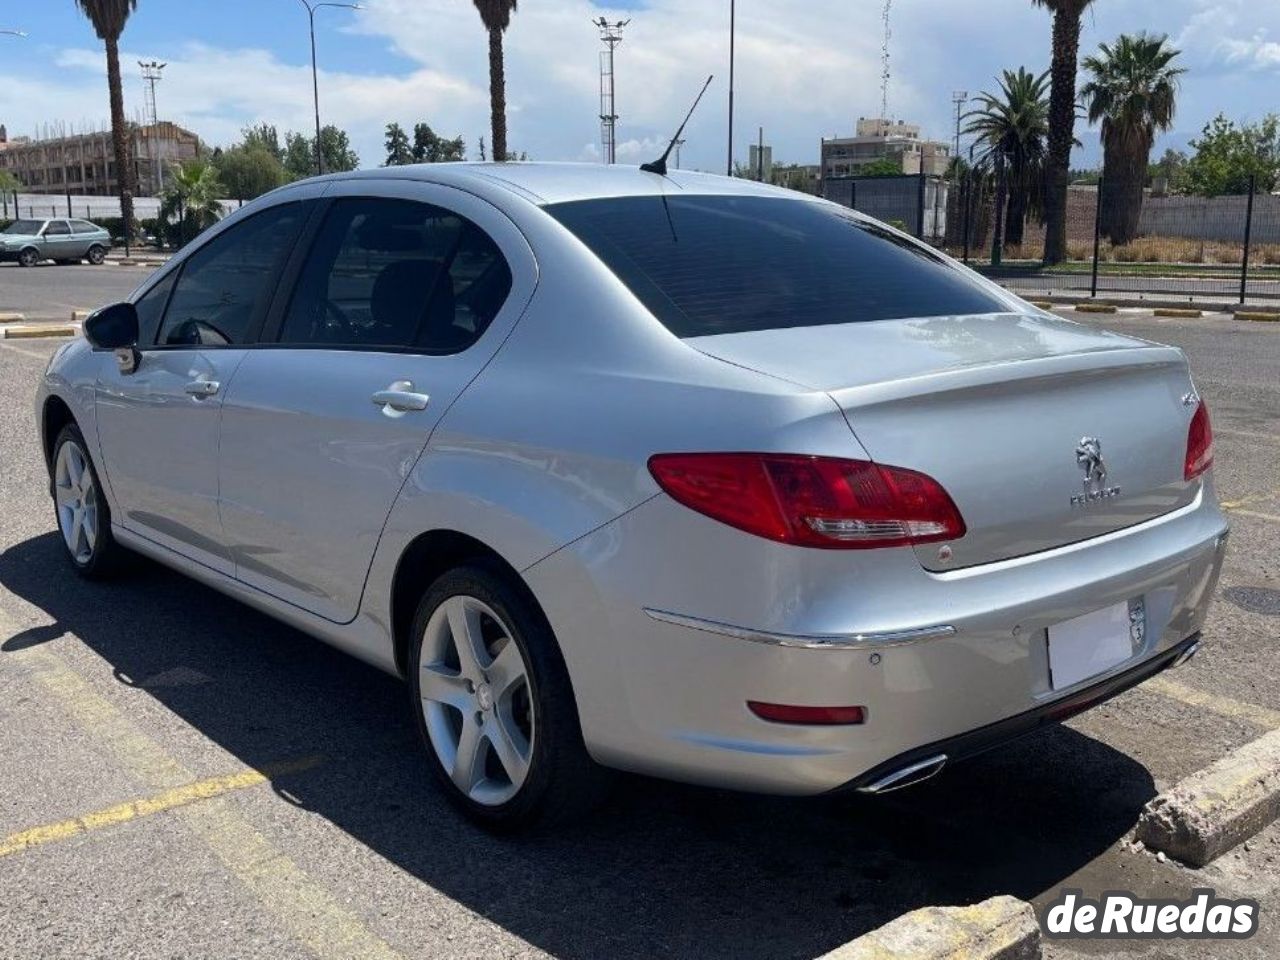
x=158, y=426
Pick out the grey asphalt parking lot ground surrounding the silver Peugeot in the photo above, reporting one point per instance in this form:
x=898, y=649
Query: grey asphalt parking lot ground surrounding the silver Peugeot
x=236, y=789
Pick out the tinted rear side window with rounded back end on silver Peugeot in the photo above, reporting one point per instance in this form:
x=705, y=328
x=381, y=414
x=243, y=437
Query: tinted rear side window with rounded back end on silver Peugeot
x=397, y=275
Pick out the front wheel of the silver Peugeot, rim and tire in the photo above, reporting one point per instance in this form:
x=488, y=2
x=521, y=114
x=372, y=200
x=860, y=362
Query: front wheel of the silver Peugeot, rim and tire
x=84, y=516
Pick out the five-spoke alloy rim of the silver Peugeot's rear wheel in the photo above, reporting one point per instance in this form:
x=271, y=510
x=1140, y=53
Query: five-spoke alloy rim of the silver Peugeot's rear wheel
x=477, y=701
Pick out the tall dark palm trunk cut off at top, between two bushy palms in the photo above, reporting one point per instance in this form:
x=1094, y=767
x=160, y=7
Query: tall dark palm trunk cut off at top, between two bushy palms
x=1062, y=122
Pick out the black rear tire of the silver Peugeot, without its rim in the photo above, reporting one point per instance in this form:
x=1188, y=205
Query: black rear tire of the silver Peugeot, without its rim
x=563, y=784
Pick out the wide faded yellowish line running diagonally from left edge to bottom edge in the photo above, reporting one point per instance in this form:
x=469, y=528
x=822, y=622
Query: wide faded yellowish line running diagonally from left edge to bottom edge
x=308, y=911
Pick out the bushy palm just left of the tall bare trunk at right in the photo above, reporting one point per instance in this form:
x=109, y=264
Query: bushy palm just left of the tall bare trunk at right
x=1013, y=126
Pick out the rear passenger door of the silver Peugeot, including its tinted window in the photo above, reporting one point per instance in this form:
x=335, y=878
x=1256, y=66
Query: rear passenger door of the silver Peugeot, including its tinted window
x=406, y=292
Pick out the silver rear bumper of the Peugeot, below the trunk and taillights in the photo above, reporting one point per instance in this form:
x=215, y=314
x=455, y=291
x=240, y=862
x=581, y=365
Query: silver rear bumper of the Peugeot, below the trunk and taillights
x=668, y=696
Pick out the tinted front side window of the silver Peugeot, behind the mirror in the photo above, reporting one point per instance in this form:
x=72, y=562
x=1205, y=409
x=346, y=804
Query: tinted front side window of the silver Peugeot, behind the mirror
x=226, y=287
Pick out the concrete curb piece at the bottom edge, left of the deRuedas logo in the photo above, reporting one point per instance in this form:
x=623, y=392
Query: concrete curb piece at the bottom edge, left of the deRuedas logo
x=1002, y=929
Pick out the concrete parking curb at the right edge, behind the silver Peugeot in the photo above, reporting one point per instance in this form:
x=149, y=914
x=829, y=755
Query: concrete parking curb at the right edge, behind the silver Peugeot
x=1213, y=811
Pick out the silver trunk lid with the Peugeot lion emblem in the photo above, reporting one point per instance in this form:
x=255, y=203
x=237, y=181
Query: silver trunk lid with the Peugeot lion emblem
x=998, y=409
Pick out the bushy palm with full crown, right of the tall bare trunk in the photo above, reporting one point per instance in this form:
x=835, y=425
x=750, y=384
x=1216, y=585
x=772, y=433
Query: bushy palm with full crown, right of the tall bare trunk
x=1132, y=93
